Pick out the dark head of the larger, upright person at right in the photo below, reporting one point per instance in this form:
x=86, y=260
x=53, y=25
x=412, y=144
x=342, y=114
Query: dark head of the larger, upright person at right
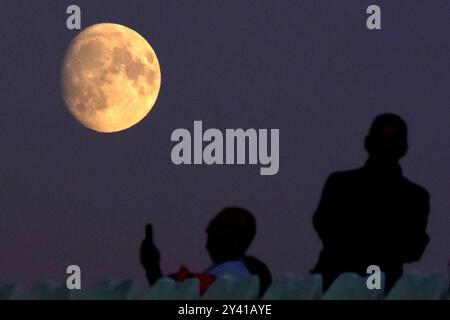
x=387, y=139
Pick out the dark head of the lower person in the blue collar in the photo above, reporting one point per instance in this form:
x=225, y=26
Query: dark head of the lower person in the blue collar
x=230, y=234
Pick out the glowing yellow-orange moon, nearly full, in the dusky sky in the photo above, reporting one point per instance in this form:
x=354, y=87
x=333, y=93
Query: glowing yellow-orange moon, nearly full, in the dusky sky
x=110, y=77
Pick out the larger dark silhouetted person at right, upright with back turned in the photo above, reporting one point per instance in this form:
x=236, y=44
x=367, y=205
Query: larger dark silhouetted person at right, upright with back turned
x=373, y=215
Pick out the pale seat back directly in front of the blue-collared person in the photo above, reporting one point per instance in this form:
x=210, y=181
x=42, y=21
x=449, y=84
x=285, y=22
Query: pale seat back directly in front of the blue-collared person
x=230, y=288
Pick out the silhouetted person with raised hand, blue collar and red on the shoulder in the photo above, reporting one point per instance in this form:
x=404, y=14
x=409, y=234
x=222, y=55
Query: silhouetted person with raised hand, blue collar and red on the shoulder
x=230, y=234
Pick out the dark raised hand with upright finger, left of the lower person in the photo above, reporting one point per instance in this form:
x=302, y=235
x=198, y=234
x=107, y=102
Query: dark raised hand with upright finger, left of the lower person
x=150, y=256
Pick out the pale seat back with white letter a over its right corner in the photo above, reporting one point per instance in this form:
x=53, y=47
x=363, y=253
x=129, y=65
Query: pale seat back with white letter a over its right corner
x=351, y=286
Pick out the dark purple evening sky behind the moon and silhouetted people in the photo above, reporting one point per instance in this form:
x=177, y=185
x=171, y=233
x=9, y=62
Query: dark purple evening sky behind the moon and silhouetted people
x=309, y=68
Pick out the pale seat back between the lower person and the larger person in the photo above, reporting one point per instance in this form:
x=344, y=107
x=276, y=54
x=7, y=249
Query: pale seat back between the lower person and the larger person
x=292, y=287
